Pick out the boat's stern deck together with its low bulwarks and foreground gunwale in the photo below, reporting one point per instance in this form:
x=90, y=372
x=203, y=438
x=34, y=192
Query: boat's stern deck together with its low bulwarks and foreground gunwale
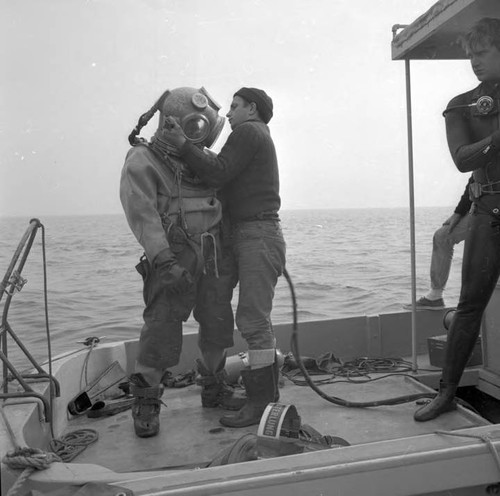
x=383, y=440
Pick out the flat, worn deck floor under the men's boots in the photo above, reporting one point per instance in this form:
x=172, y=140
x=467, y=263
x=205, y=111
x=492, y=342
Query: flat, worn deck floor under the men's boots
x=192, y=436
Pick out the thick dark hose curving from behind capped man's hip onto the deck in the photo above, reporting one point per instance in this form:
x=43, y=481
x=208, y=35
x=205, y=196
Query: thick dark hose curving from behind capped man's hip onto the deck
x=294, y=342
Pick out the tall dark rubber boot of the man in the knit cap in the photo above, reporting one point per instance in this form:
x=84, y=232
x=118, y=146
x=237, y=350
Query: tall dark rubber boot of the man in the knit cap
x=261, y=386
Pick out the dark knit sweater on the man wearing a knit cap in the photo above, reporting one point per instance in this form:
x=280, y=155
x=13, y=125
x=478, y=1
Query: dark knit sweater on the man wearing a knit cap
x=245, y=171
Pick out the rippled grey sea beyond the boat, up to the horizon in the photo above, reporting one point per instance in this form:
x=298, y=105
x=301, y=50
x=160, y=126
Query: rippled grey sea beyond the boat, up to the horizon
x=342, y=263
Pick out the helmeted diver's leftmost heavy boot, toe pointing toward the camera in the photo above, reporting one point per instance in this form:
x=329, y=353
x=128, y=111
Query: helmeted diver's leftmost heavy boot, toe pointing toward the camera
x=146, y=407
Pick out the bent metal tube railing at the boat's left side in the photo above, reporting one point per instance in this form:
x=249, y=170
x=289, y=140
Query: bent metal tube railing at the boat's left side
x=11, y=284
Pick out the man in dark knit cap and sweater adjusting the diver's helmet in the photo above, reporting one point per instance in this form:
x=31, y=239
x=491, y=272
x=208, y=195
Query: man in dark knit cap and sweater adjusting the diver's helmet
x=246, y=174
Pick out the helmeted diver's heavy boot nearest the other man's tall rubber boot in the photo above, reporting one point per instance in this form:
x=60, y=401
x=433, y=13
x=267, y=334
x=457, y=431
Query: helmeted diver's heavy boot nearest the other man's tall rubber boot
x=215, y=391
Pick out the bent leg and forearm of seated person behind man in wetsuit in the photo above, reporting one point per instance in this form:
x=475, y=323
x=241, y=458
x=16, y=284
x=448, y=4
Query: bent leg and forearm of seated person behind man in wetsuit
x=452, y=232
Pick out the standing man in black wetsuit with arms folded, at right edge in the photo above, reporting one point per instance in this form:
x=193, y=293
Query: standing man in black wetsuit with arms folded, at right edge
x=473, y=134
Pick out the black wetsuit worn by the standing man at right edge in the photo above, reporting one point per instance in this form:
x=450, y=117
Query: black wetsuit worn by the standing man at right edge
x=474, y=143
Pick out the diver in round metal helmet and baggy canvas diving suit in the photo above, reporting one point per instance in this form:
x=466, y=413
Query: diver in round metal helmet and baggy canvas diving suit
x=176, y=219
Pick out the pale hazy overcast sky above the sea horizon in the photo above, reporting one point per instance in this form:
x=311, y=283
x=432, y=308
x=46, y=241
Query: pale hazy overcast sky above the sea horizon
x=78, y=73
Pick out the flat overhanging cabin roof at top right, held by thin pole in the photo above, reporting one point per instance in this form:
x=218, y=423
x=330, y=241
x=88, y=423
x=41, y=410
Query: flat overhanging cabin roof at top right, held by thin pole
x=435, y=34
